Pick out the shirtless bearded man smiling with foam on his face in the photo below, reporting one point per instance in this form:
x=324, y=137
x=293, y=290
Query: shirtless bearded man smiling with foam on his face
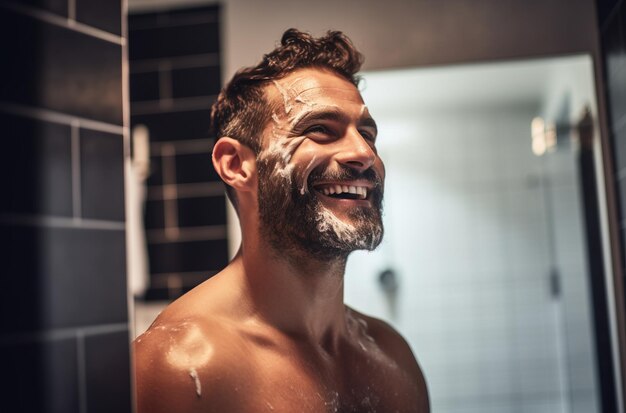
x=271, y=333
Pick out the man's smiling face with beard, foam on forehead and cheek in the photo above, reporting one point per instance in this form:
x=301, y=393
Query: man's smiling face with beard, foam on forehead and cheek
x=320, y=178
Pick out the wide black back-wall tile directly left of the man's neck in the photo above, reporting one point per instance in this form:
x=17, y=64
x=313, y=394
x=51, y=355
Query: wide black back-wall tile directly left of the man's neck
x=188, y=256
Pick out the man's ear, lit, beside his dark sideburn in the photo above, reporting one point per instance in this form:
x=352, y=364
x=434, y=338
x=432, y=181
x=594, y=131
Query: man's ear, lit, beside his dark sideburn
x=235, y=163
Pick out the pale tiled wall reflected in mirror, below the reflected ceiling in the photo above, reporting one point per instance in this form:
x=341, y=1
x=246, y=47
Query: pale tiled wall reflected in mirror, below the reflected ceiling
x=463, y=217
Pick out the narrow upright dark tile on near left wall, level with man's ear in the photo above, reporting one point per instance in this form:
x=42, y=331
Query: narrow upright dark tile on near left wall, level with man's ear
x=102, y=175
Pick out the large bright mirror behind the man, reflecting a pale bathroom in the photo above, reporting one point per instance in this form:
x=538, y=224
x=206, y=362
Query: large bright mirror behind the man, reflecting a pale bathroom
x=485, y=244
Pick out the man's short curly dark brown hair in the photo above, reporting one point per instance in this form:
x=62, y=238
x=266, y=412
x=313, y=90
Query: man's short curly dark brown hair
x=242, y=110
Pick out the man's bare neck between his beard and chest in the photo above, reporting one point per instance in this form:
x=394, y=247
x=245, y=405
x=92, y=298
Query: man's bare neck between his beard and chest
x=297, y=294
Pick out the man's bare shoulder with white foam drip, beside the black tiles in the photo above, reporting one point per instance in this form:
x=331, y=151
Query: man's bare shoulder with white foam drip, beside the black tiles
x=186, y=364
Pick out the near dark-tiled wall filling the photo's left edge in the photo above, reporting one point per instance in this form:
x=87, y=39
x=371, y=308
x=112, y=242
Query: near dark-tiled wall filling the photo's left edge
x=64, y=343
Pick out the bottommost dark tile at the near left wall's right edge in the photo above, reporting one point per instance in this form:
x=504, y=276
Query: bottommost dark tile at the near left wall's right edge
x=105, y=357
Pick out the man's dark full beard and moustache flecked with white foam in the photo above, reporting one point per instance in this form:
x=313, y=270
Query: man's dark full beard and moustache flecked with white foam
x=295, y=222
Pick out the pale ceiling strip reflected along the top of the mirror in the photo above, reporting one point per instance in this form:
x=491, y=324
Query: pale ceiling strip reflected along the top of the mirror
x=471, y=86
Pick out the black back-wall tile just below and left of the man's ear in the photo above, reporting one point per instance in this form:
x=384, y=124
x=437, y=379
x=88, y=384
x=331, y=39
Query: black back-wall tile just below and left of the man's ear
x=201, y=211
